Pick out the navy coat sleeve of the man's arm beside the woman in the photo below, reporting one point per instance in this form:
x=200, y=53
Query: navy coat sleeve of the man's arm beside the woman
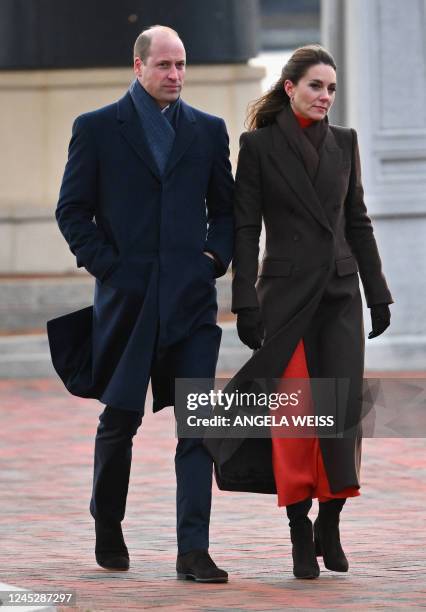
x=219, y=202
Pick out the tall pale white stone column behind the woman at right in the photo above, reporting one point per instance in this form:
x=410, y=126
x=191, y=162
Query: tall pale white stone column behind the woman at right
x=384, y=76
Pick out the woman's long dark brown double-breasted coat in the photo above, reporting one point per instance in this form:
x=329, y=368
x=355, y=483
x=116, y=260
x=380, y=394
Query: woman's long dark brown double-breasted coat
x=318, y=236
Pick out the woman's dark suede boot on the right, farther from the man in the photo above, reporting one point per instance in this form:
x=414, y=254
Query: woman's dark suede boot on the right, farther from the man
x=327, y=536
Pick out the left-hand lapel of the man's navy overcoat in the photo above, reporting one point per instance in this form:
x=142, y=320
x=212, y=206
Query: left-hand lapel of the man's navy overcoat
x=131, y=128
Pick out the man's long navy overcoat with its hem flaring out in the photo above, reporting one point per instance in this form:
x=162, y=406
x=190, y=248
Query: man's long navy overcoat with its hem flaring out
x=142, y=236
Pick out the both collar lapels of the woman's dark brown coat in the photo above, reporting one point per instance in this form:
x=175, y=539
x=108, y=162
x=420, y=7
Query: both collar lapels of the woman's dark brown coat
x=290, y=165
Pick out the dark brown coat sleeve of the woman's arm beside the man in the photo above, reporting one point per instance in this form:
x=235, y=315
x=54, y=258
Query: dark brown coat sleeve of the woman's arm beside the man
x=248, y=226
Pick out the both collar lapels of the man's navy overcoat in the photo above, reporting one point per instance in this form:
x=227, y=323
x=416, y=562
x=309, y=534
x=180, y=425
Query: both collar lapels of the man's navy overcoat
x=132, y=131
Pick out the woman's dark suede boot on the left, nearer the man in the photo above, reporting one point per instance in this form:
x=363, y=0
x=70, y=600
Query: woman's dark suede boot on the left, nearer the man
x=305, y=564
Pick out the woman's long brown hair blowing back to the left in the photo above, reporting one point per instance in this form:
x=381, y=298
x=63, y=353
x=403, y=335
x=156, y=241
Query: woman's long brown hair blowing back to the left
x=263, y=111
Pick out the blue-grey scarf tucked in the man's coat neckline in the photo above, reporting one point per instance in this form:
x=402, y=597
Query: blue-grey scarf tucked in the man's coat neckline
x=159, y=127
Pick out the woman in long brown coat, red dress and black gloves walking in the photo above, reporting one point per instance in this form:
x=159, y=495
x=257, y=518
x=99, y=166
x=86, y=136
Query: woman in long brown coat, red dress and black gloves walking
x=302, y=310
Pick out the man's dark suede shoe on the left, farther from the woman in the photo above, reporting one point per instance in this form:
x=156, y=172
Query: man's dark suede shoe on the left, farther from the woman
x=111, y=551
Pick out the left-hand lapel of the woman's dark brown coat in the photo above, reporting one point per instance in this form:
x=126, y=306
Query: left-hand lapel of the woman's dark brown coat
x=293, y=170
